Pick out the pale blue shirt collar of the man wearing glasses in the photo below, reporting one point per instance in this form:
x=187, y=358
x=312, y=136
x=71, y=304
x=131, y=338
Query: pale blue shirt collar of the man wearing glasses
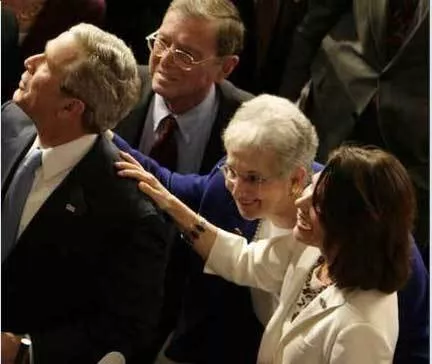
x=187, y=122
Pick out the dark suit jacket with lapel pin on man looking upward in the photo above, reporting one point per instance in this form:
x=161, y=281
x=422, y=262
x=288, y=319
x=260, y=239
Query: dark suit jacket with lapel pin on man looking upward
x=86, y=275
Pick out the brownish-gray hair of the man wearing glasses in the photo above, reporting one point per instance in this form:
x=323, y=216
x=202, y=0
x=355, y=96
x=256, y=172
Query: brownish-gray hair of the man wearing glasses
x=230, y=28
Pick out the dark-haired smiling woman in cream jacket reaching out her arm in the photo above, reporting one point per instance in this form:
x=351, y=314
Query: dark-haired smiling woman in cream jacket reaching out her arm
x=333, y=302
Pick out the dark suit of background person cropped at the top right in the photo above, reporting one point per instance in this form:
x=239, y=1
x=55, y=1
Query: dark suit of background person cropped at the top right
x=370, y=82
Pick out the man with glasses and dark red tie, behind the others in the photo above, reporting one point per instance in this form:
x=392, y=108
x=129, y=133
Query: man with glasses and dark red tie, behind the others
x=192, y=53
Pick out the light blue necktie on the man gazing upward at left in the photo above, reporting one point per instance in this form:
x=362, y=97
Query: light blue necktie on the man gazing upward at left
x=15, y=199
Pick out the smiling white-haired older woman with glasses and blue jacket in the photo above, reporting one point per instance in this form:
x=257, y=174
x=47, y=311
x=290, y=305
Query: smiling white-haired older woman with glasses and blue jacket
x=270, y=148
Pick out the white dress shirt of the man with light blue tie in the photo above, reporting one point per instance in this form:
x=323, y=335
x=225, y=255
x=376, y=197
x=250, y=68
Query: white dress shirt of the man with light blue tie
x=57, y=162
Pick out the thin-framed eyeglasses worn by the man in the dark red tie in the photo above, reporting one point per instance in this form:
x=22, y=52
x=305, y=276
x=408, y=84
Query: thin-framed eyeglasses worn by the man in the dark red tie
x=181, y=58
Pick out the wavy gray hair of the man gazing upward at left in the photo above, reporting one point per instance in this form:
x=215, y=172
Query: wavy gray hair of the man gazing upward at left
x=105, y=77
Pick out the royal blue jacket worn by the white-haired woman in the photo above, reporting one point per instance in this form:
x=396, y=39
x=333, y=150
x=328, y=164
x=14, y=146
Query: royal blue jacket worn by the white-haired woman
x=214, y=321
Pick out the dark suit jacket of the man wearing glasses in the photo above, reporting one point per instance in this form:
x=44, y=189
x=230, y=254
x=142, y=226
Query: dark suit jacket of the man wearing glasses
x=230, y=98
